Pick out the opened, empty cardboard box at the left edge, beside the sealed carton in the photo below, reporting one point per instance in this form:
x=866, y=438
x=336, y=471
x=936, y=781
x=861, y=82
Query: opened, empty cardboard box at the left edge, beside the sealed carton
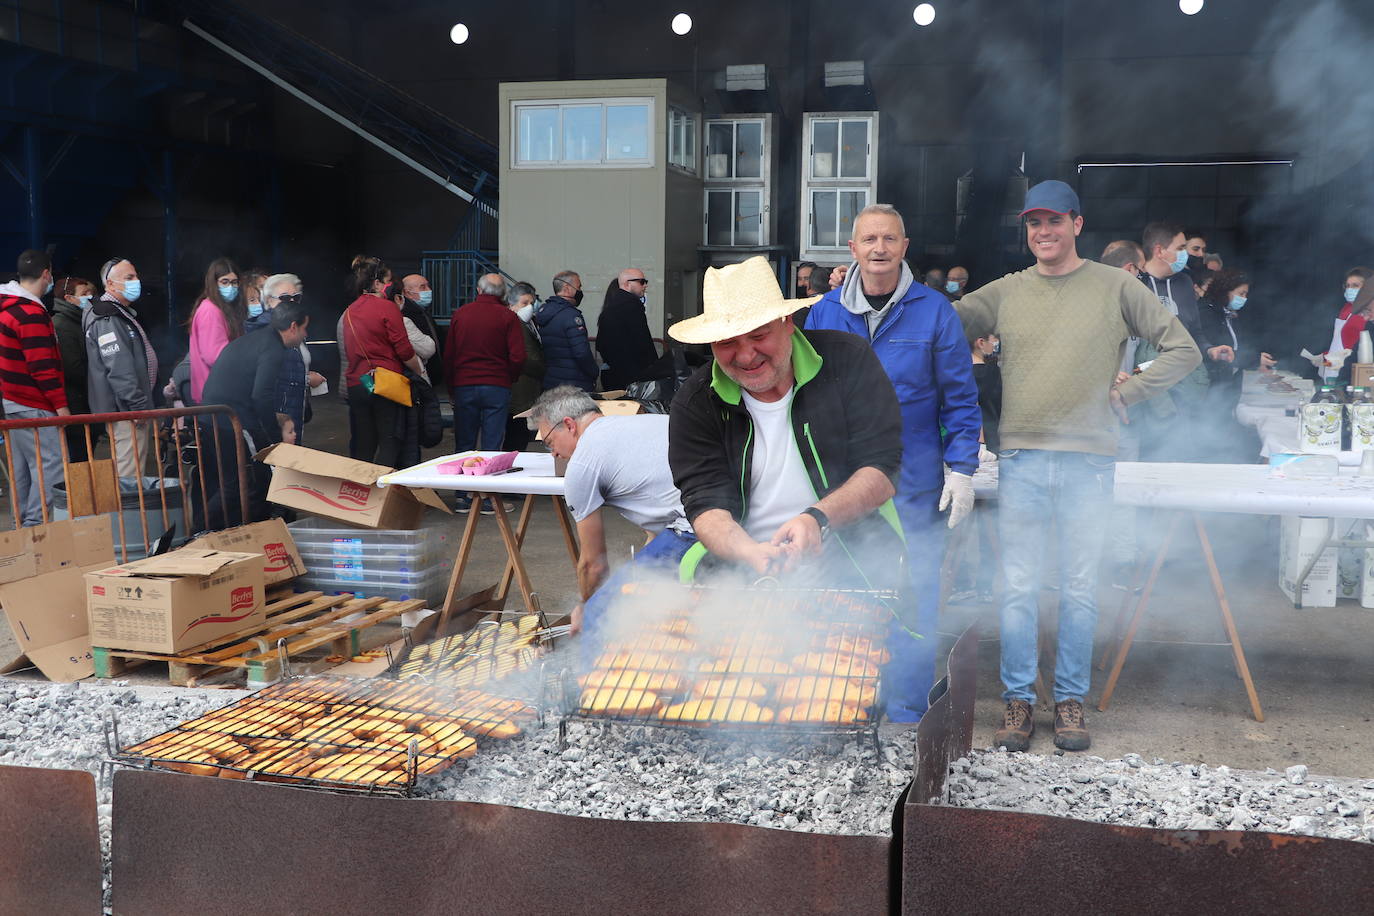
x=43, y=594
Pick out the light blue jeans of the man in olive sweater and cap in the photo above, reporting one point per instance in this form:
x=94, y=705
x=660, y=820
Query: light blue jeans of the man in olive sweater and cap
x=1074, y=491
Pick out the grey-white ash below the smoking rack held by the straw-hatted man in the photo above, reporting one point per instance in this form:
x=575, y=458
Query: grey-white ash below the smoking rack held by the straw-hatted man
x=813, y=785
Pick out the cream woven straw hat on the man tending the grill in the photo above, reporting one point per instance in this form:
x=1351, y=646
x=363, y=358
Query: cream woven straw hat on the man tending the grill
x=737, y=299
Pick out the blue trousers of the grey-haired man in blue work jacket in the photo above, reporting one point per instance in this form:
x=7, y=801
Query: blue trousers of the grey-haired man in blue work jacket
x=909, y=676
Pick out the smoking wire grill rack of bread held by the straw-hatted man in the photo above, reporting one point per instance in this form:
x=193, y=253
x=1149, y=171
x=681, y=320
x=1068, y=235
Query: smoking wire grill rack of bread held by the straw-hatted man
x=806, y=660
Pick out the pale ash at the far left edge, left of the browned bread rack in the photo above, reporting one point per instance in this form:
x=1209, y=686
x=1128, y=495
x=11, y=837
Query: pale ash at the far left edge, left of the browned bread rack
x=63, y=727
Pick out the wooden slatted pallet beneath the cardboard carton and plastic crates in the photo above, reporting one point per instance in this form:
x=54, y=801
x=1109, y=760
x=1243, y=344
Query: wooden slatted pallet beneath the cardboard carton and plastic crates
x=307, y=621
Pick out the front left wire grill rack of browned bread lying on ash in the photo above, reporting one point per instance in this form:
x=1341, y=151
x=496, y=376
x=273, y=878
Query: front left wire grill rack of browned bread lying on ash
x=343, y=734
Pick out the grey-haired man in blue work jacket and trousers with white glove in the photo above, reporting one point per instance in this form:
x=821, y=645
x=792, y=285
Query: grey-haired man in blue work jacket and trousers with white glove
x=921, y=344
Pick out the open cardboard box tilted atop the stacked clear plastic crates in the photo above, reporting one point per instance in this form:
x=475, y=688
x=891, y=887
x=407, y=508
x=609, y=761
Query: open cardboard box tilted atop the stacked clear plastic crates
x=343, y=490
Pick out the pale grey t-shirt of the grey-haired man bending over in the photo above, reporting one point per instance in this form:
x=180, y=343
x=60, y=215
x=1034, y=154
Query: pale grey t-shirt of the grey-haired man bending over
x=623, y=462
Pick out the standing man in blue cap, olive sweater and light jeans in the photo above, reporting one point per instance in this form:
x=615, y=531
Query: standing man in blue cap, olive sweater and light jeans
x=1063, y=325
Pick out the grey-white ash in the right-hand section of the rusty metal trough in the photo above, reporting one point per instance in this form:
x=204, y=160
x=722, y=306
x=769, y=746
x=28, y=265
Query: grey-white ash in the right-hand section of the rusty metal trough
x=1174, y=796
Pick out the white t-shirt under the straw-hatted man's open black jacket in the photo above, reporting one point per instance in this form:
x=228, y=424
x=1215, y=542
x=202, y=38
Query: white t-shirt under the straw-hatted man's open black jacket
x=780, y=487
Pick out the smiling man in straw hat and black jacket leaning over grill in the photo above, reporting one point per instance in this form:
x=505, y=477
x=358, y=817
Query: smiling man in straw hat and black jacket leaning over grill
x=787, y=446
